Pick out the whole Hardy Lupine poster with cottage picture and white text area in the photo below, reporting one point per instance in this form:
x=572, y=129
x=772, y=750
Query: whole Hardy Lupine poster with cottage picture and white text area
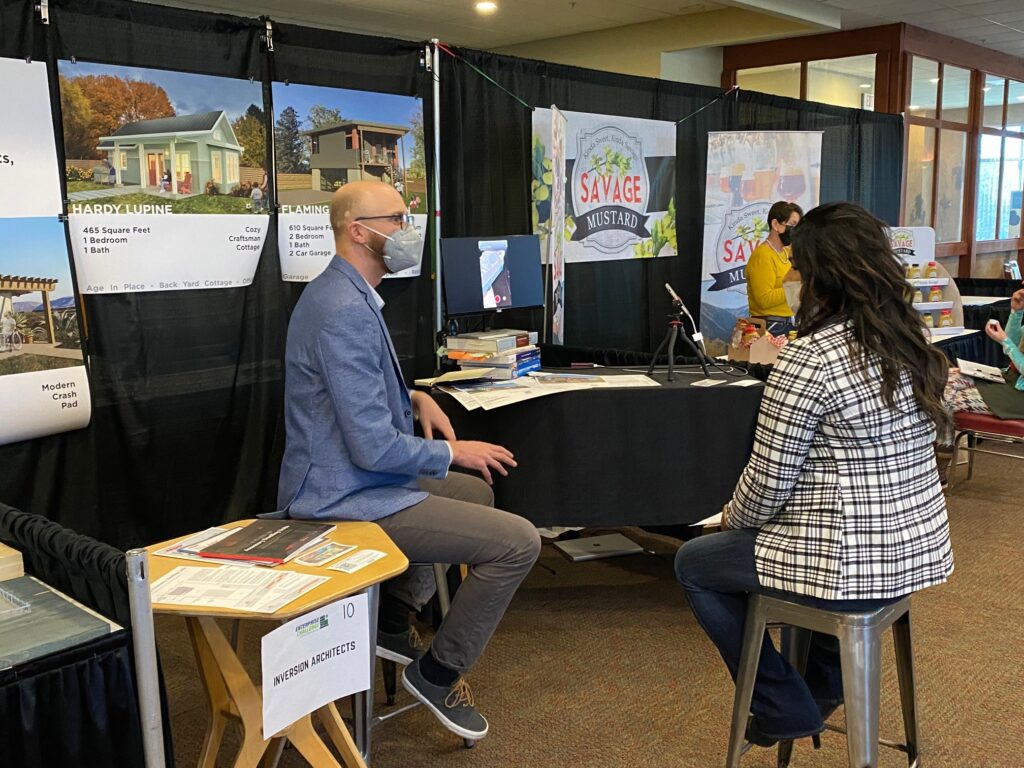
x=167, y=188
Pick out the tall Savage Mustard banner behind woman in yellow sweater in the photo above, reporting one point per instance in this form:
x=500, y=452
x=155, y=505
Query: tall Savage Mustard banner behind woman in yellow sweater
x=747, y=173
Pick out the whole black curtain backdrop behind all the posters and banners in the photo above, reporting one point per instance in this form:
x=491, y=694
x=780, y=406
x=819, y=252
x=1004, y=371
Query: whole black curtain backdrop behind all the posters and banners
x=188, y=387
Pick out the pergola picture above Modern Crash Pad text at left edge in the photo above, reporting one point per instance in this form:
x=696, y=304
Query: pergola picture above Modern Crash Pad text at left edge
x=38, y=319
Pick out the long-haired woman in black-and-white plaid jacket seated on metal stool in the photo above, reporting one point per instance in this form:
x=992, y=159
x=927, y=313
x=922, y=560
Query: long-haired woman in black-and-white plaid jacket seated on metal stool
x=840, y=505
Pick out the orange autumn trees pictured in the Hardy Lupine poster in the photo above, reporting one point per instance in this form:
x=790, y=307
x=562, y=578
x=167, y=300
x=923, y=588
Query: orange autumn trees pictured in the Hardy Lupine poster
x=97, y=106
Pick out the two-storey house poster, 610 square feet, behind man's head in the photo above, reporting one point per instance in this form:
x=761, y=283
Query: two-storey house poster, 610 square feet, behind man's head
x=326, y=138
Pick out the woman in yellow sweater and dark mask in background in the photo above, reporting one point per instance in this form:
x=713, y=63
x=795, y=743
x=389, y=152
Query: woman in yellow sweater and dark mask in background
x=769, y=266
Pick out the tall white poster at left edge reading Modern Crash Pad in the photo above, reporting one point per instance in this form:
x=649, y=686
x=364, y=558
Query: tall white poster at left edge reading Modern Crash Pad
x=44, y=383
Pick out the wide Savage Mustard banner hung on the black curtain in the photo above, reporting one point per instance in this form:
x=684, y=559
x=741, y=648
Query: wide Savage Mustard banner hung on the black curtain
x=620, y=187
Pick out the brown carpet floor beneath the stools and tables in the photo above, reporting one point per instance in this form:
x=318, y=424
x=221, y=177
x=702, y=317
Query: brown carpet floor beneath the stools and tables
x=603, y=665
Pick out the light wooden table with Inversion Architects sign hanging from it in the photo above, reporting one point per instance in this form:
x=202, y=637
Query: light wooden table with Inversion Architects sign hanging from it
x=231, y=691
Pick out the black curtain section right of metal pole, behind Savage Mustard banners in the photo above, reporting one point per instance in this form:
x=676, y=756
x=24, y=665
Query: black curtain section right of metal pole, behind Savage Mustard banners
x=486, y=175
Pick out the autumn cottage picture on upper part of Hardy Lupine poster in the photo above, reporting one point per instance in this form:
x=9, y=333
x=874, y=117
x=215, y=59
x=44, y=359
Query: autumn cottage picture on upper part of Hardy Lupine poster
x=136, y=139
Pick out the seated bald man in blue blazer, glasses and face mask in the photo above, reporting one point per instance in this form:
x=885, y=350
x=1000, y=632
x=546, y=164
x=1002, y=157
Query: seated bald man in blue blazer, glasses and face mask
x=351, y=455
